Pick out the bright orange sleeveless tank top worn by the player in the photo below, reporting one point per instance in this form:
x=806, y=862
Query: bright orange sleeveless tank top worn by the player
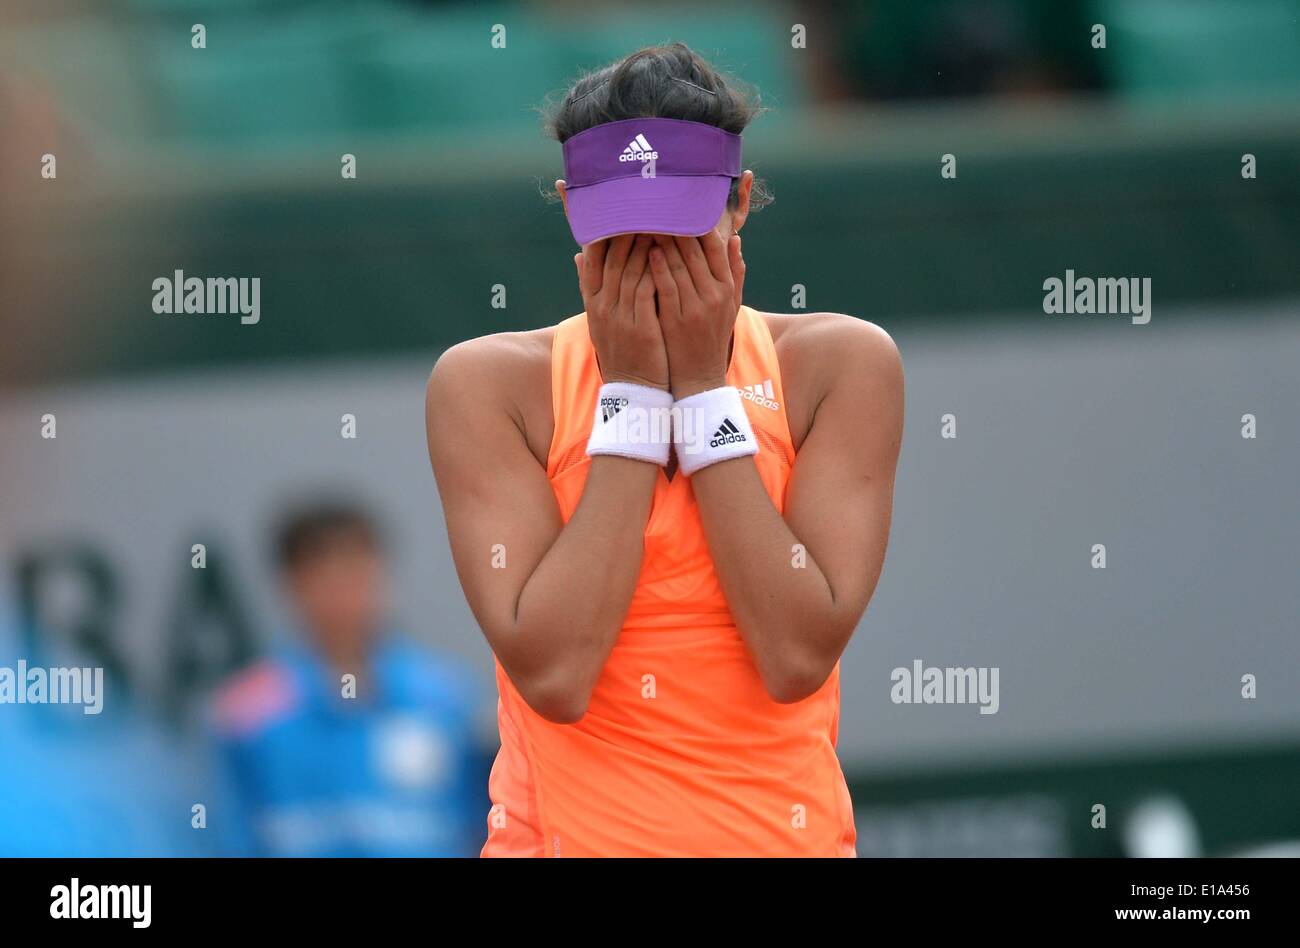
x=682, y=752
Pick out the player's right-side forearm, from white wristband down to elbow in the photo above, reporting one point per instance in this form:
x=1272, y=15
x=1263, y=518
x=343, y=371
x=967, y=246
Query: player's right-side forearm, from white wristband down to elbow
x=785, y=607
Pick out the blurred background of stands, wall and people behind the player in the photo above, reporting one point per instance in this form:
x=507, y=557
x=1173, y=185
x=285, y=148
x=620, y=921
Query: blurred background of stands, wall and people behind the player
x=1121, y=687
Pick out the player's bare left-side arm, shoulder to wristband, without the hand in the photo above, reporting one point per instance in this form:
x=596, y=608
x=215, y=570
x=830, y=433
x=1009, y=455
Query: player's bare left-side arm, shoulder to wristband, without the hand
x=553, y=614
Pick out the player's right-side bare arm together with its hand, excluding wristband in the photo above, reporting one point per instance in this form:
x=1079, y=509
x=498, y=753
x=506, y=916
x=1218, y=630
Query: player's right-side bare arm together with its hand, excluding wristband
x=795, y=612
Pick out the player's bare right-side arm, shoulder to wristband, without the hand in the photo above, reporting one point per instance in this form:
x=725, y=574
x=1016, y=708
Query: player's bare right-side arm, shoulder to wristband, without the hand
x=798, y=613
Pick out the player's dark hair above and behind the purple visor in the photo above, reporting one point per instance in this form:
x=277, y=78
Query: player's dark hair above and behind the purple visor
x=658, y=83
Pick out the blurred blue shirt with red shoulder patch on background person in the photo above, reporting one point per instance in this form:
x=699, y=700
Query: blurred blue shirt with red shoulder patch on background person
x=393, y=772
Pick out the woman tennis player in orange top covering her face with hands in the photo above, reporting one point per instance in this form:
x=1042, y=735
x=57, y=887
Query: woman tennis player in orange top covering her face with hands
x=668, y=513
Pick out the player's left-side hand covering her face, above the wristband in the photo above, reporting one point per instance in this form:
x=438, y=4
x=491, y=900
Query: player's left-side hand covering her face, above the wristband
x=618, y=292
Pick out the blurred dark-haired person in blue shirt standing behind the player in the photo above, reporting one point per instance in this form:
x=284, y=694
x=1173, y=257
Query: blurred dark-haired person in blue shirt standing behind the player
x=349, y=742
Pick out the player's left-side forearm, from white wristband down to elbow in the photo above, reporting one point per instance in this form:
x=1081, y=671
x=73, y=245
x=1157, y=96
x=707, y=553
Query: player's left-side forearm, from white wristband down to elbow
x=574, y=604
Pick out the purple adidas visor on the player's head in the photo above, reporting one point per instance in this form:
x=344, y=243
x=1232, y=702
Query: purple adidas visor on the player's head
x=648, y=176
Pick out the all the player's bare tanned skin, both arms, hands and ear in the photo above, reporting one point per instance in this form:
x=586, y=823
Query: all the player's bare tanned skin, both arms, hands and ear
x=661, y=313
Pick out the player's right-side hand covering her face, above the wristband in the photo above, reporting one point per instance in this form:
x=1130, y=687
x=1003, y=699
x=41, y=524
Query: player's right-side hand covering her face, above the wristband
x=700, y=285
